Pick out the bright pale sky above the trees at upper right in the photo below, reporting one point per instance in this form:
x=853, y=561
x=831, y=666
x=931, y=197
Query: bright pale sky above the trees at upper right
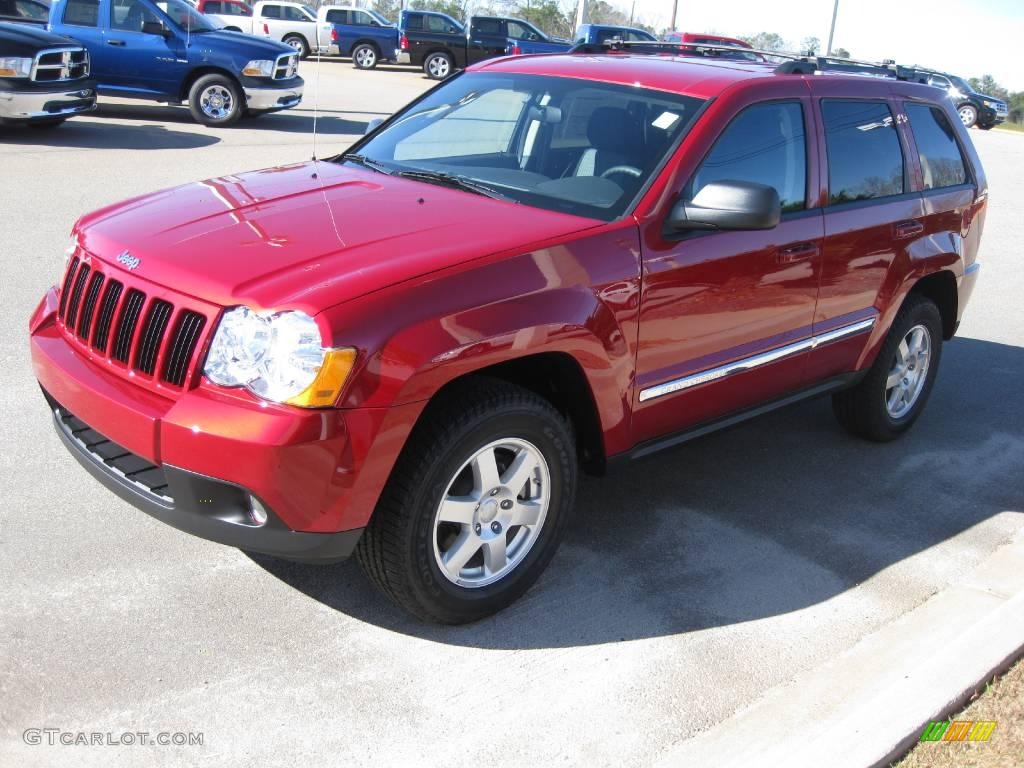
x=969, y=38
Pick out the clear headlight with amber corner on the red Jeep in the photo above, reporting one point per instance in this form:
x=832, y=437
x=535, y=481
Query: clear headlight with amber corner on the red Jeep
x=280, y=358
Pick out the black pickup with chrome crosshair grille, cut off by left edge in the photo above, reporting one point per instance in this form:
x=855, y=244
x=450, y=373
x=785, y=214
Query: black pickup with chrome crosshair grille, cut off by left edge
x=45, y=78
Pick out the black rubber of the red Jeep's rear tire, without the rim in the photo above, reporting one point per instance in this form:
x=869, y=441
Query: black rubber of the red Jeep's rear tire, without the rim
x=863, y=410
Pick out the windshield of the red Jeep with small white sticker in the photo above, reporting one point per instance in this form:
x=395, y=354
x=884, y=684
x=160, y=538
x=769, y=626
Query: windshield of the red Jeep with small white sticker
x=561, y=144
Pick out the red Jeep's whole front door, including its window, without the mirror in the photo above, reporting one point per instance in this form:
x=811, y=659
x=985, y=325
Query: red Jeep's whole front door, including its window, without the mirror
x=727, y=318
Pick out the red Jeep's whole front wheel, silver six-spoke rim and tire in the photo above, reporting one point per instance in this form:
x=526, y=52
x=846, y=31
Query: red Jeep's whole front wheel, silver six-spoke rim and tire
x=477, y=504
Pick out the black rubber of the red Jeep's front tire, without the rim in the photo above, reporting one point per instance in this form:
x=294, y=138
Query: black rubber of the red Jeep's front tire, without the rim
x=398, y=549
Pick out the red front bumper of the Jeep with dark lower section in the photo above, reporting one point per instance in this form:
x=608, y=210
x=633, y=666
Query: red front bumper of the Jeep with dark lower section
x=207, y=453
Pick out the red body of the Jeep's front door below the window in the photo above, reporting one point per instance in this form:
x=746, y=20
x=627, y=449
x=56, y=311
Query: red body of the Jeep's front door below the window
x=719, y=300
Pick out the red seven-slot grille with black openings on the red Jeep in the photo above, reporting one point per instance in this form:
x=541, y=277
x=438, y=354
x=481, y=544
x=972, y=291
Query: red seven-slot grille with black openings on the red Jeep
x=147, y=335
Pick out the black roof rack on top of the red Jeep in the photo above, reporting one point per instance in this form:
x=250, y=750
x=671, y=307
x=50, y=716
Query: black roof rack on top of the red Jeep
x=796, y=64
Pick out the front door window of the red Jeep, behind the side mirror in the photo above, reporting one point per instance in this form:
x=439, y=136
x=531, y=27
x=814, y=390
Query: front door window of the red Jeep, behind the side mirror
x=764, y=144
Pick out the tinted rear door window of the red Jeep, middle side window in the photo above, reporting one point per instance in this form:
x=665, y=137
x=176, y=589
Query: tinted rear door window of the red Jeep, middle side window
x=866, y=160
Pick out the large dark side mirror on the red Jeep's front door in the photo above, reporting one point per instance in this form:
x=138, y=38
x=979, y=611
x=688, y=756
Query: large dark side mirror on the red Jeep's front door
x=729, y=205
